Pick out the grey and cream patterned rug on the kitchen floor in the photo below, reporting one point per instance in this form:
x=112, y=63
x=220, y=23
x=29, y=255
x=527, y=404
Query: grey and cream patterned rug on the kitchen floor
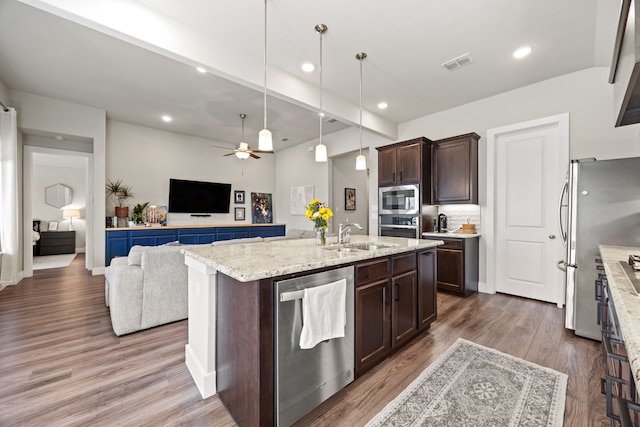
x=472, y=385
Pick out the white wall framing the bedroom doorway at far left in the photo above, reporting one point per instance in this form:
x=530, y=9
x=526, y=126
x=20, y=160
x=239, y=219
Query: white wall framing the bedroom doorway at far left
x=52, y=116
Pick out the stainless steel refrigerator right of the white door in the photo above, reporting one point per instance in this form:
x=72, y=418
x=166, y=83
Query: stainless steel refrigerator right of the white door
x=600, y=206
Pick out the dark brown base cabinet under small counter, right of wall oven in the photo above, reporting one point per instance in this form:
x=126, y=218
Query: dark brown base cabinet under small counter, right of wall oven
x=458, y=265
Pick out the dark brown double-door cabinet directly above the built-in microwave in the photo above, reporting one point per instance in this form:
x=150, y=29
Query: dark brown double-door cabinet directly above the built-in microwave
x=404, y=163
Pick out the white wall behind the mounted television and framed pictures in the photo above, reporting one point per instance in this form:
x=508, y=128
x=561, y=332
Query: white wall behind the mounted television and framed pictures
x=146, y=158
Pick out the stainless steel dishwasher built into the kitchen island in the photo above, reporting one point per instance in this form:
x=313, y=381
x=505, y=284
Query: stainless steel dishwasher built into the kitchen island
x=306, y=378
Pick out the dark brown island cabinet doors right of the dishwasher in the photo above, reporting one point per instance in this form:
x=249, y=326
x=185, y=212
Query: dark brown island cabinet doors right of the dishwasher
x=395, y=299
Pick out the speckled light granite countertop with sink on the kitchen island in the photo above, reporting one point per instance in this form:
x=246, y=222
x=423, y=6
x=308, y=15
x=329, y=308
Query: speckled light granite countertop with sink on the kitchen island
x=260, y=260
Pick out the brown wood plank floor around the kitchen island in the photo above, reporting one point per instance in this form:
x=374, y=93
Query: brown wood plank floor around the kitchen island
x=61, y=364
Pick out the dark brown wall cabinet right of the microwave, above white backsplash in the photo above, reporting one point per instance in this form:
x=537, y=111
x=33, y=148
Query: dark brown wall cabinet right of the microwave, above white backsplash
x=455, y=170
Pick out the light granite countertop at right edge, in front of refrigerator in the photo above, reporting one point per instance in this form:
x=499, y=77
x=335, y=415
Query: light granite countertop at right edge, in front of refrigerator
x=626, y=301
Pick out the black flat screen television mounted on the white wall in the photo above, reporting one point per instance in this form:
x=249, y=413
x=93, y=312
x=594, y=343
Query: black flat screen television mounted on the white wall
x=198, y=197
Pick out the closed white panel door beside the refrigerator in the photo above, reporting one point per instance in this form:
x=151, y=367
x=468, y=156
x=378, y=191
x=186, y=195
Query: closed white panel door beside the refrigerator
x=530, y=165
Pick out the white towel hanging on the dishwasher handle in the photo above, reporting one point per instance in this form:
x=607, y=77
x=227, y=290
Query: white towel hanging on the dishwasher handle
x=323, y=313
